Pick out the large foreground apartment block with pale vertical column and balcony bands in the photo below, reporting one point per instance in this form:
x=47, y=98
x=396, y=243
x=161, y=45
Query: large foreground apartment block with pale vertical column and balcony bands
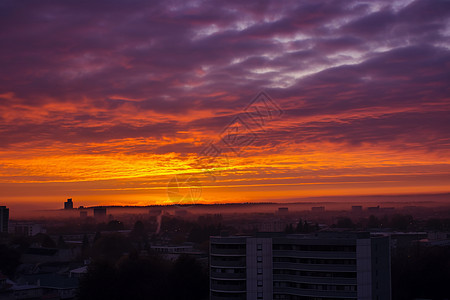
x=321, y=266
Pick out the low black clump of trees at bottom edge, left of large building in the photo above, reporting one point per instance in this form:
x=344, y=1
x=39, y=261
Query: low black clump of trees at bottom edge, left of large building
x=145, y=278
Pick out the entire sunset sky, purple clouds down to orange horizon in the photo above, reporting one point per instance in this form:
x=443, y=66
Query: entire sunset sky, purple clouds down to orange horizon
x=161, y=102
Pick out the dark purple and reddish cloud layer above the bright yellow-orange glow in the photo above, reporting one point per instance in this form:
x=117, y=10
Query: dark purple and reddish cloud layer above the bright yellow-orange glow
x=131, y=69
